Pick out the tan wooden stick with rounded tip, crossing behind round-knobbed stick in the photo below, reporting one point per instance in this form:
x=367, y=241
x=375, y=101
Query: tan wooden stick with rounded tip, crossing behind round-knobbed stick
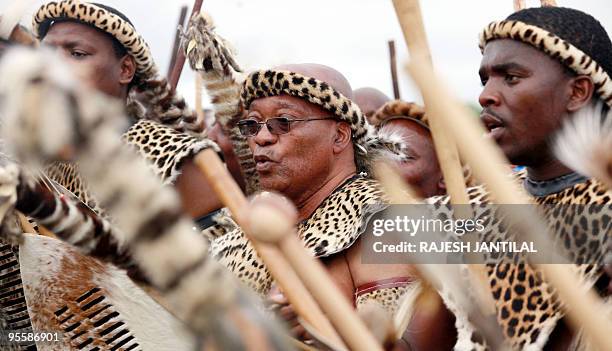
x=295, y=291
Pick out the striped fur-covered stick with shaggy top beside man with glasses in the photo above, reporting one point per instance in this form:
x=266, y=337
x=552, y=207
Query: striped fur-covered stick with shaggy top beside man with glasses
x=213, y=59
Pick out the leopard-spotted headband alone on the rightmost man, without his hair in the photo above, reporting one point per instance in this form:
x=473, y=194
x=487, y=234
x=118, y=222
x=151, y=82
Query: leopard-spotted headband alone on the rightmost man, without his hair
x=554, y=46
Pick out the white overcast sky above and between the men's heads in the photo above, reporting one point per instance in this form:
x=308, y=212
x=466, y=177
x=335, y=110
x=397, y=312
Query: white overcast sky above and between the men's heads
x=350, y=36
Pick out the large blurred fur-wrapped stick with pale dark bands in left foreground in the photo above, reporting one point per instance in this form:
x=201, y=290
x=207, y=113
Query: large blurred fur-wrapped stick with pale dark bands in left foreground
x=83, y=125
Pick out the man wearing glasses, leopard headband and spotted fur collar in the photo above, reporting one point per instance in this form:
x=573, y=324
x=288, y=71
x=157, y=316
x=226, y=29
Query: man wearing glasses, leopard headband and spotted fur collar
x=312, y=144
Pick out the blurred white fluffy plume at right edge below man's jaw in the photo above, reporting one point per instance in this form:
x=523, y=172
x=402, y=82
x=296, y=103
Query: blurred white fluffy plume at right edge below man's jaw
x=585, y=142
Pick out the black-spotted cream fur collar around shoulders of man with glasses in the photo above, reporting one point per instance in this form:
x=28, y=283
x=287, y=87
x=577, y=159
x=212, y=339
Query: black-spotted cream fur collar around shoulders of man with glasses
x=333, y=227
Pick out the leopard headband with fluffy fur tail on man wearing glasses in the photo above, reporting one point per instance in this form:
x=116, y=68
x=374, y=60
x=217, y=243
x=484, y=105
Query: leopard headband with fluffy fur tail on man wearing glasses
x=369, y=145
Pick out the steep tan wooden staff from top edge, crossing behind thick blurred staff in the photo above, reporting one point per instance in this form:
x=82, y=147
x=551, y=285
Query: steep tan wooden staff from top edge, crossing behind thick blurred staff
x=409, y=15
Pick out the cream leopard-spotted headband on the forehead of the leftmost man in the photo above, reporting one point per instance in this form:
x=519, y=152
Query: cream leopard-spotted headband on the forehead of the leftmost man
x=105, y=21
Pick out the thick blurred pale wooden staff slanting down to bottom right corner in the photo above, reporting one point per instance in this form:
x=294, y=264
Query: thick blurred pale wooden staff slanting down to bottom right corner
x=583, y=307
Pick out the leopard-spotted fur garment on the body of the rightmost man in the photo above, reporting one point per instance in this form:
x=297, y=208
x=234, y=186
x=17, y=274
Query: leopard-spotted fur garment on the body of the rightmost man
x=527, y=307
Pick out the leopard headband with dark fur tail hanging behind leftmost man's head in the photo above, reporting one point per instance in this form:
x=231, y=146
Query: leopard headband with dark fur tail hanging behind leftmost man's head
x=153, y=97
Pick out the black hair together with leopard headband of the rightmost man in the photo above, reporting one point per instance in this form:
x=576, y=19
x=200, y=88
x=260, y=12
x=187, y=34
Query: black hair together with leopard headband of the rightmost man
x=572, y=37
